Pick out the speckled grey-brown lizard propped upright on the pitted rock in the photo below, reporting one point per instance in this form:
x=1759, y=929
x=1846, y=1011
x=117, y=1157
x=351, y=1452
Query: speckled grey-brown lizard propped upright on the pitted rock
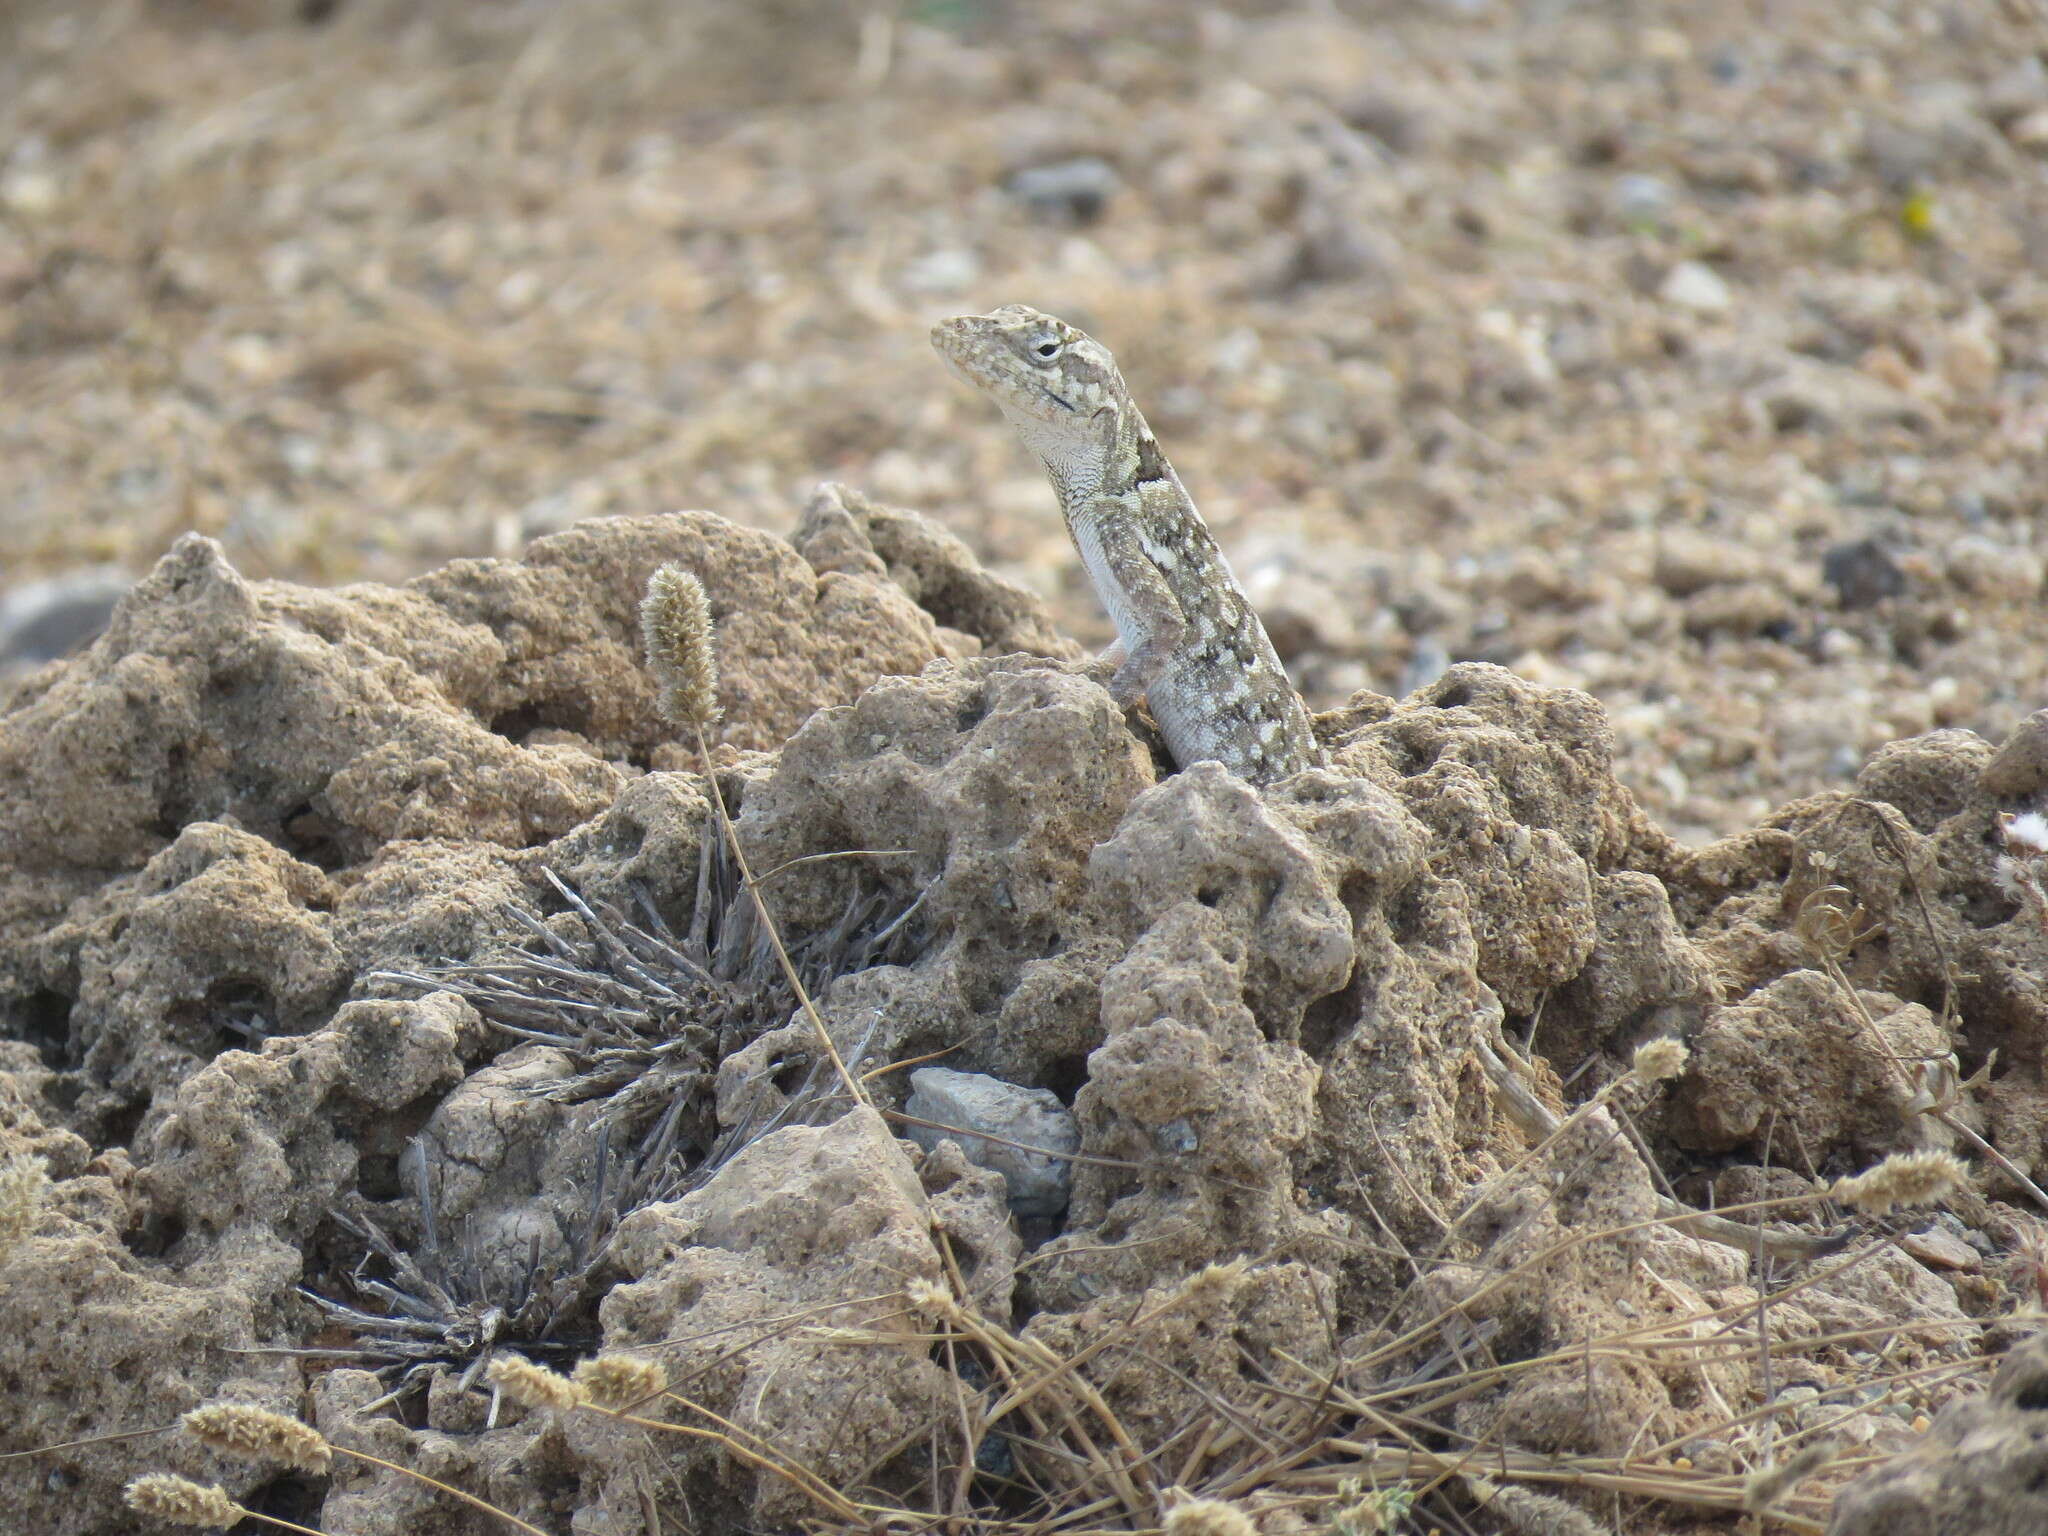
x=1187, y=638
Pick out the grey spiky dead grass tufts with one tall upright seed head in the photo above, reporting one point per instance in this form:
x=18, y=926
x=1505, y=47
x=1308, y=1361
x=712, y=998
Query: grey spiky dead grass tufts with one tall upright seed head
x=646, y=1015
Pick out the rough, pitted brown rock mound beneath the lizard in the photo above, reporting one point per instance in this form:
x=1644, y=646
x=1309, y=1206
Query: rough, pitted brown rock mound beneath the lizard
x=265, y=947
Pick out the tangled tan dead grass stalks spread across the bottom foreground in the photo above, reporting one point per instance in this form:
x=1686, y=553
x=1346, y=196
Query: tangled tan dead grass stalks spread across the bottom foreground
x=1033, y=1441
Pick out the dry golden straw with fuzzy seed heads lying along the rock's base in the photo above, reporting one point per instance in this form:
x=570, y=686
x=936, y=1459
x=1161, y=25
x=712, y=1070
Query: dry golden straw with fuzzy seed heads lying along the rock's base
x=1308, y=1439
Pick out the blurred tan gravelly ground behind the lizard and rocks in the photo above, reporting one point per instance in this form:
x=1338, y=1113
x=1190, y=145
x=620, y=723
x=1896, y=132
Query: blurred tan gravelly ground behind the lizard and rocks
x=1693, y=355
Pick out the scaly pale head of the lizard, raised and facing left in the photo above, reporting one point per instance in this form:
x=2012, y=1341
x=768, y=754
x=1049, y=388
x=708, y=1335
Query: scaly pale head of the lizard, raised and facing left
x=1039, y=370
